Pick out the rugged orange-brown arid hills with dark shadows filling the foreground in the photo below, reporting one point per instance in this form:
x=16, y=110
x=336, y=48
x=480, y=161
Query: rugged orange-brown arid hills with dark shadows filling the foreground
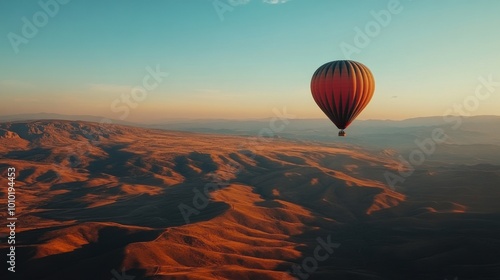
x=118, y=202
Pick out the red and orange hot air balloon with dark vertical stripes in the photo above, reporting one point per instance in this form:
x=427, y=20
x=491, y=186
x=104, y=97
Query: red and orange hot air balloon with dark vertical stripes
x=342, y=89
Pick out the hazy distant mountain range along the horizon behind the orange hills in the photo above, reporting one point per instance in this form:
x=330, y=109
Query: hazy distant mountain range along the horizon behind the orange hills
x=374, y=134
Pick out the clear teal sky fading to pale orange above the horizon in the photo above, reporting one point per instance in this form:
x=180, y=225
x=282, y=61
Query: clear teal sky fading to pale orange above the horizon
x=244, y=62
